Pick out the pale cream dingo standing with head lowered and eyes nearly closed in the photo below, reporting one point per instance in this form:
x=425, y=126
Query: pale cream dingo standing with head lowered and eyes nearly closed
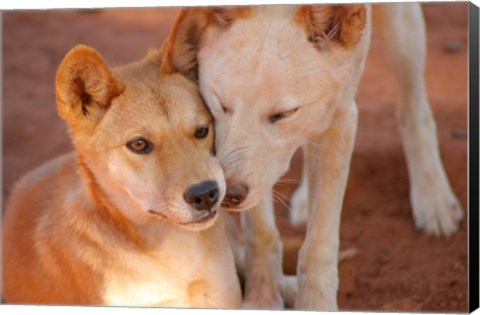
x=285, y=77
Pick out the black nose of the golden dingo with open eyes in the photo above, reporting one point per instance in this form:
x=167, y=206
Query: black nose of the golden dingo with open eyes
x=202, y=196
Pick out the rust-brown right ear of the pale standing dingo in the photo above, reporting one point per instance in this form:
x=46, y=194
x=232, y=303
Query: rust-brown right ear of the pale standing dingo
x=328, y=25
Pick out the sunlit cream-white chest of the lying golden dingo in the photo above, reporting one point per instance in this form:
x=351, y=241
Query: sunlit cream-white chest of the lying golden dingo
x=181, y=272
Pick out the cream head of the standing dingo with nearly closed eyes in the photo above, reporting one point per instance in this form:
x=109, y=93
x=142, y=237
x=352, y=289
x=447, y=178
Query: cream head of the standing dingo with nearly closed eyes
x=272, y=78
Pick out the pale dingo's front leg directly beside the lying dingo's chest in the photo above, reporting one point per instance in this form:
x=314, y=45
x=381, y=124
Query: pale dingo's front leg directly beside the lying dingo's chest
x=263, y=258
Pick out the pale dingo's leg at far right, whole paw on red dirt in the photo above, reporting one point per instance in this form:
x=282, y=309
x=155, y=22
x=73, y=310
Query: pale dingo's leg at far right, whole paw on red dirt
x=435, y=208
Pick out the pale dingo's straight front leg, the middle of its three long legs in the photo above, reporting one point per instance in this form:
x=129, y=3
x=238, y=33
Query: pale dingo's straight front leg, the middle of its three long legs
x=328, y=162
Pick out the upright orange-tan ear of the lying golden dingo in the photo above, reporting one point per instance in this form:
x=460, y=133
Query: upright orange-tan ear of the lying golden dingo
x=85, y=87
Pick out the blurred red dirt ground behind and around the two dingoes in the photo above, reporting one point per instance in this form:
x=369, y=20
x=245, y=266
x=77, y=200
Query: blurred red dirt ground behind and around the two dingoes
x=396, y=267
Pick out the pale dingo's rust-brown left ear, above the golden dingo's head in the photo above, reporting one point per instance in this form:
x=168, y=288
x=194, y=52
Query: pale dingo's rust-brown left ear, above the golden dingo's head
x=179, y=51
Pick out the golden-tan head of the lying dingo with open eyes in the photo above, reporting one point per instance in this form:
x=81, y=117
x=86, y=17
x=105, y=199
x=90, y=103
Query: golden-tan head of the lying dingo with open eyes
x=144, y=139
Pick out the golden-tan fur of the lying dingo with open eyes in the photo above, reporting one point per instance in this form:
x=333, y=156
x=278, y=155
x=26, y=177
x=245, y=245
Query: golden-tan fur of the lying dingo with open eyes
x=80, y=229
